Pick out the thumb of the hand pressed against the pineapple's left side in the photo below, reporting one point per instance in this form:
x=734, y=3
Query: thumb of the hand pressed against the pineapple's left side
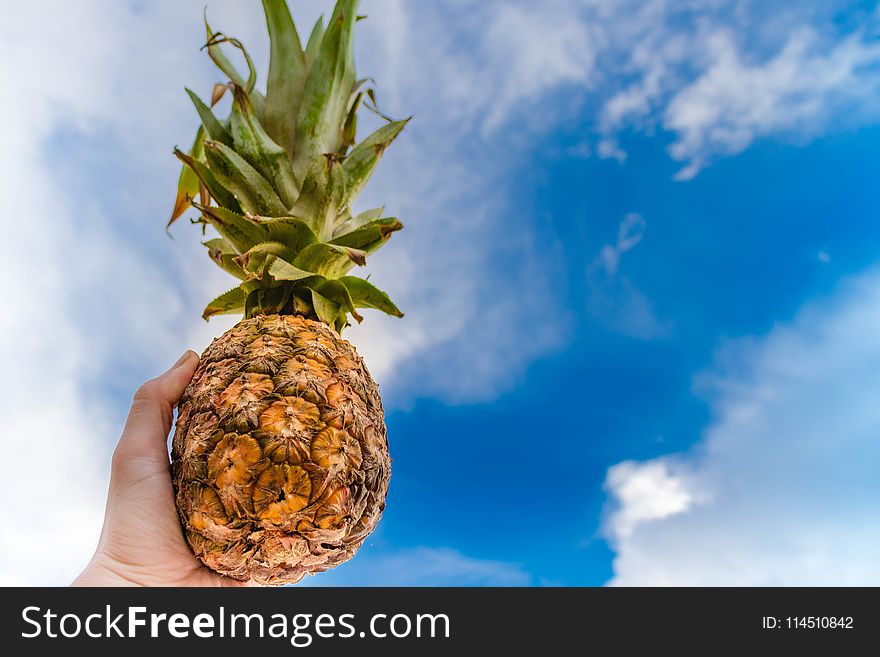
x=152, y=410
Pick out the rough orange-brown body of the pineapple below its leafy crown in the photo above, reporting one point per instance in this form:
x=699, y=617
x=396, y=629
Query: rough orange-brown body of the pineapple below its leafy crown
x=280, y=457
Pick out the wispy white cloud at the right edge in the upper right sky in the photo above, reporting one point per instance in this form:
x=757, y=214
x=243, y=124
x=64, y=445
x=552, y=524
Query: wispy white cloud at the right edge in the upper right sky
x=796, y=92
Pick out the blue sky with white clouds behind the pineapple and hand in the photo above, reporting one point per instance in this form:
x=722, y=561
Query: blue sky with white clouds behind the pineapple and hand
x=639, y=270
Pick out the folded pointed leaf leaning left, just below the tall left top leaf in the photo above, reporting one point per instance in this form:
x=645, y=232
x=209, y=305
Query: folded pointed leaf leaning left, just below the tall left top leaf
x=255, y=145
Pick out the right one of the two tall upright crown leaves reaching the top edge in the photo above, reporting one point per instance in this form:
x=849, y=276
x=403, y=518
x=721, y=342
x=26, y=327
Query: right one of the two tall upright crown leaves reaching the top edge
x=327, y=89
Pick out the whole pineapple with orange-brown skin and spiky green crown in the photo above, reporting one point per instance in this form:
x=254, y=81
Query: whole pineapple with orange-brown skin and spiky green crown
x=280, y=458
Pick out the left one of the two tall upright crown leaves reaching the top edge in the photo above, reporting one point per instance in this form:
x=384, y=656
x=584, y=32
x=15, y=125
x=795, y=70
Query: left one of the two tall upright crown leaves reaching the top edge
x=287, y=74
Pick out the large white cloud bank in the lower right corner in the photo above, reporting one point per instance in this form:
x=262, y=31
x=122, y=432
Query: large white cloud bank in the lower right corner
x=782, y=488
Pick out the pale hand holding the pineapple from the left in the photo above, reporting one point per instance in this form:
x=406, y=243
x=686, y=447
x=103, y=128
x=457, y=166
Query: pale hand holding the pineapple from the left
x=142, y=543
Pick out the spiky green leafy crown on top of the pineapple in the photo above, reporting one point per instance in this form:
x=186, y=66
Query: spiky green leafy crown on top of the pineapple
x=277, y=177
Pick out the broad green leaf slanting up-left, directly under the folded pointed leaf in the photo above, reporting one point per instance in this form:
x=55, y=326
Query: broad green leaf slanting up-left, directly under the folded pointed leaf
x=252, y=190
